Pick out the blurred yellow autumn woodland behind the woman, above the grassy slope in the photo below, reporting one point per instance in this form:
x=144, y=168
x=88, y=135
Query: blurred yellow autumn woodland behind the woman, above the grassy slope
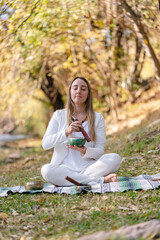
x=44, y=44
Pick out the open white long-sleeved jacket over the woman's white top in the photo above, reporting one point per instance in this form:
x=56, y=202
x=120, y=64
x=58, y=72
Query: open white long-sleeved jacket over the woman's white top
x=56, y=138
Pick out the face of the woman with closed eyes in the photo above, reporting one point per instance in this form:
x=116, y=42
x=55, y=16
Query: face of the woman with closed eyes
x=79, y=92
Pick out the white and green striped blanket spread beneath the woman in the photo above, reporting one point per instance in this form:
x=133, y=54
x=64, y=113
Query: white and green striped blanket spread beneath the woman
x=141, y=182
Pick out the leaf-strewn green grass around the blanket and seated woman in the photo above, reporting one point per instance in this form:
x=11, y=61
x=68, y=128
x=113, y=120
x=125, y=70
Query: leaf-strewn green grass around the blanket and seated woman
x=65, y=217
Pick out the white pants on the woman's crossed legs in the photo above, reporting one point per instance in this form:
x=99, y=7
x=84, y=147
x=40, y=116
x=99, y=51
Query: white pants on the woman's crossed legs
x=108, y=163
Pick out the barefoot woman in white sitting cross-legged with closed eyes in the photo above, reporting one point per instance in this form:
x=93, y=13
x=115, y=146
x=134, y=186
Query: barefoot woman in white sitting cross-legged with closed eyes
x=88, y=164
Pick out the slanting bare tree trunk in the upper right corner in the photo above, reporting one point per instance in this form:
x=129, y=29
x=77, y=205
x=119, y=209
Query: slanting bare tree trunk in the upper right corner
x=143, y=35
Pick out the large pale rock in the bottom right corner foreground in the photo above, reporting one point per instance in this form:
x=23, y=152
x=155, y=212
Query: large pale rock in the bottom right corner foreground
x=142, y=230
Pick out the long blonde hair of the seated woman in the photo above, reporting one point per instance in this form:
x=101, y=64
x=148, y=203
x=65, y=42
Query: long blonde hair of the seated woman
x=89, y=109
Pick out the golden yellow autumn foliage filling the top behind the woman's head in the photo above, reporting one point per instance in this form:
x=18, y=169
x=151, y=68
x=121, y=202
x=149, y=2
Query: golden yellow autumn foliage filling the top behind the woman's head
x=96, y=39
